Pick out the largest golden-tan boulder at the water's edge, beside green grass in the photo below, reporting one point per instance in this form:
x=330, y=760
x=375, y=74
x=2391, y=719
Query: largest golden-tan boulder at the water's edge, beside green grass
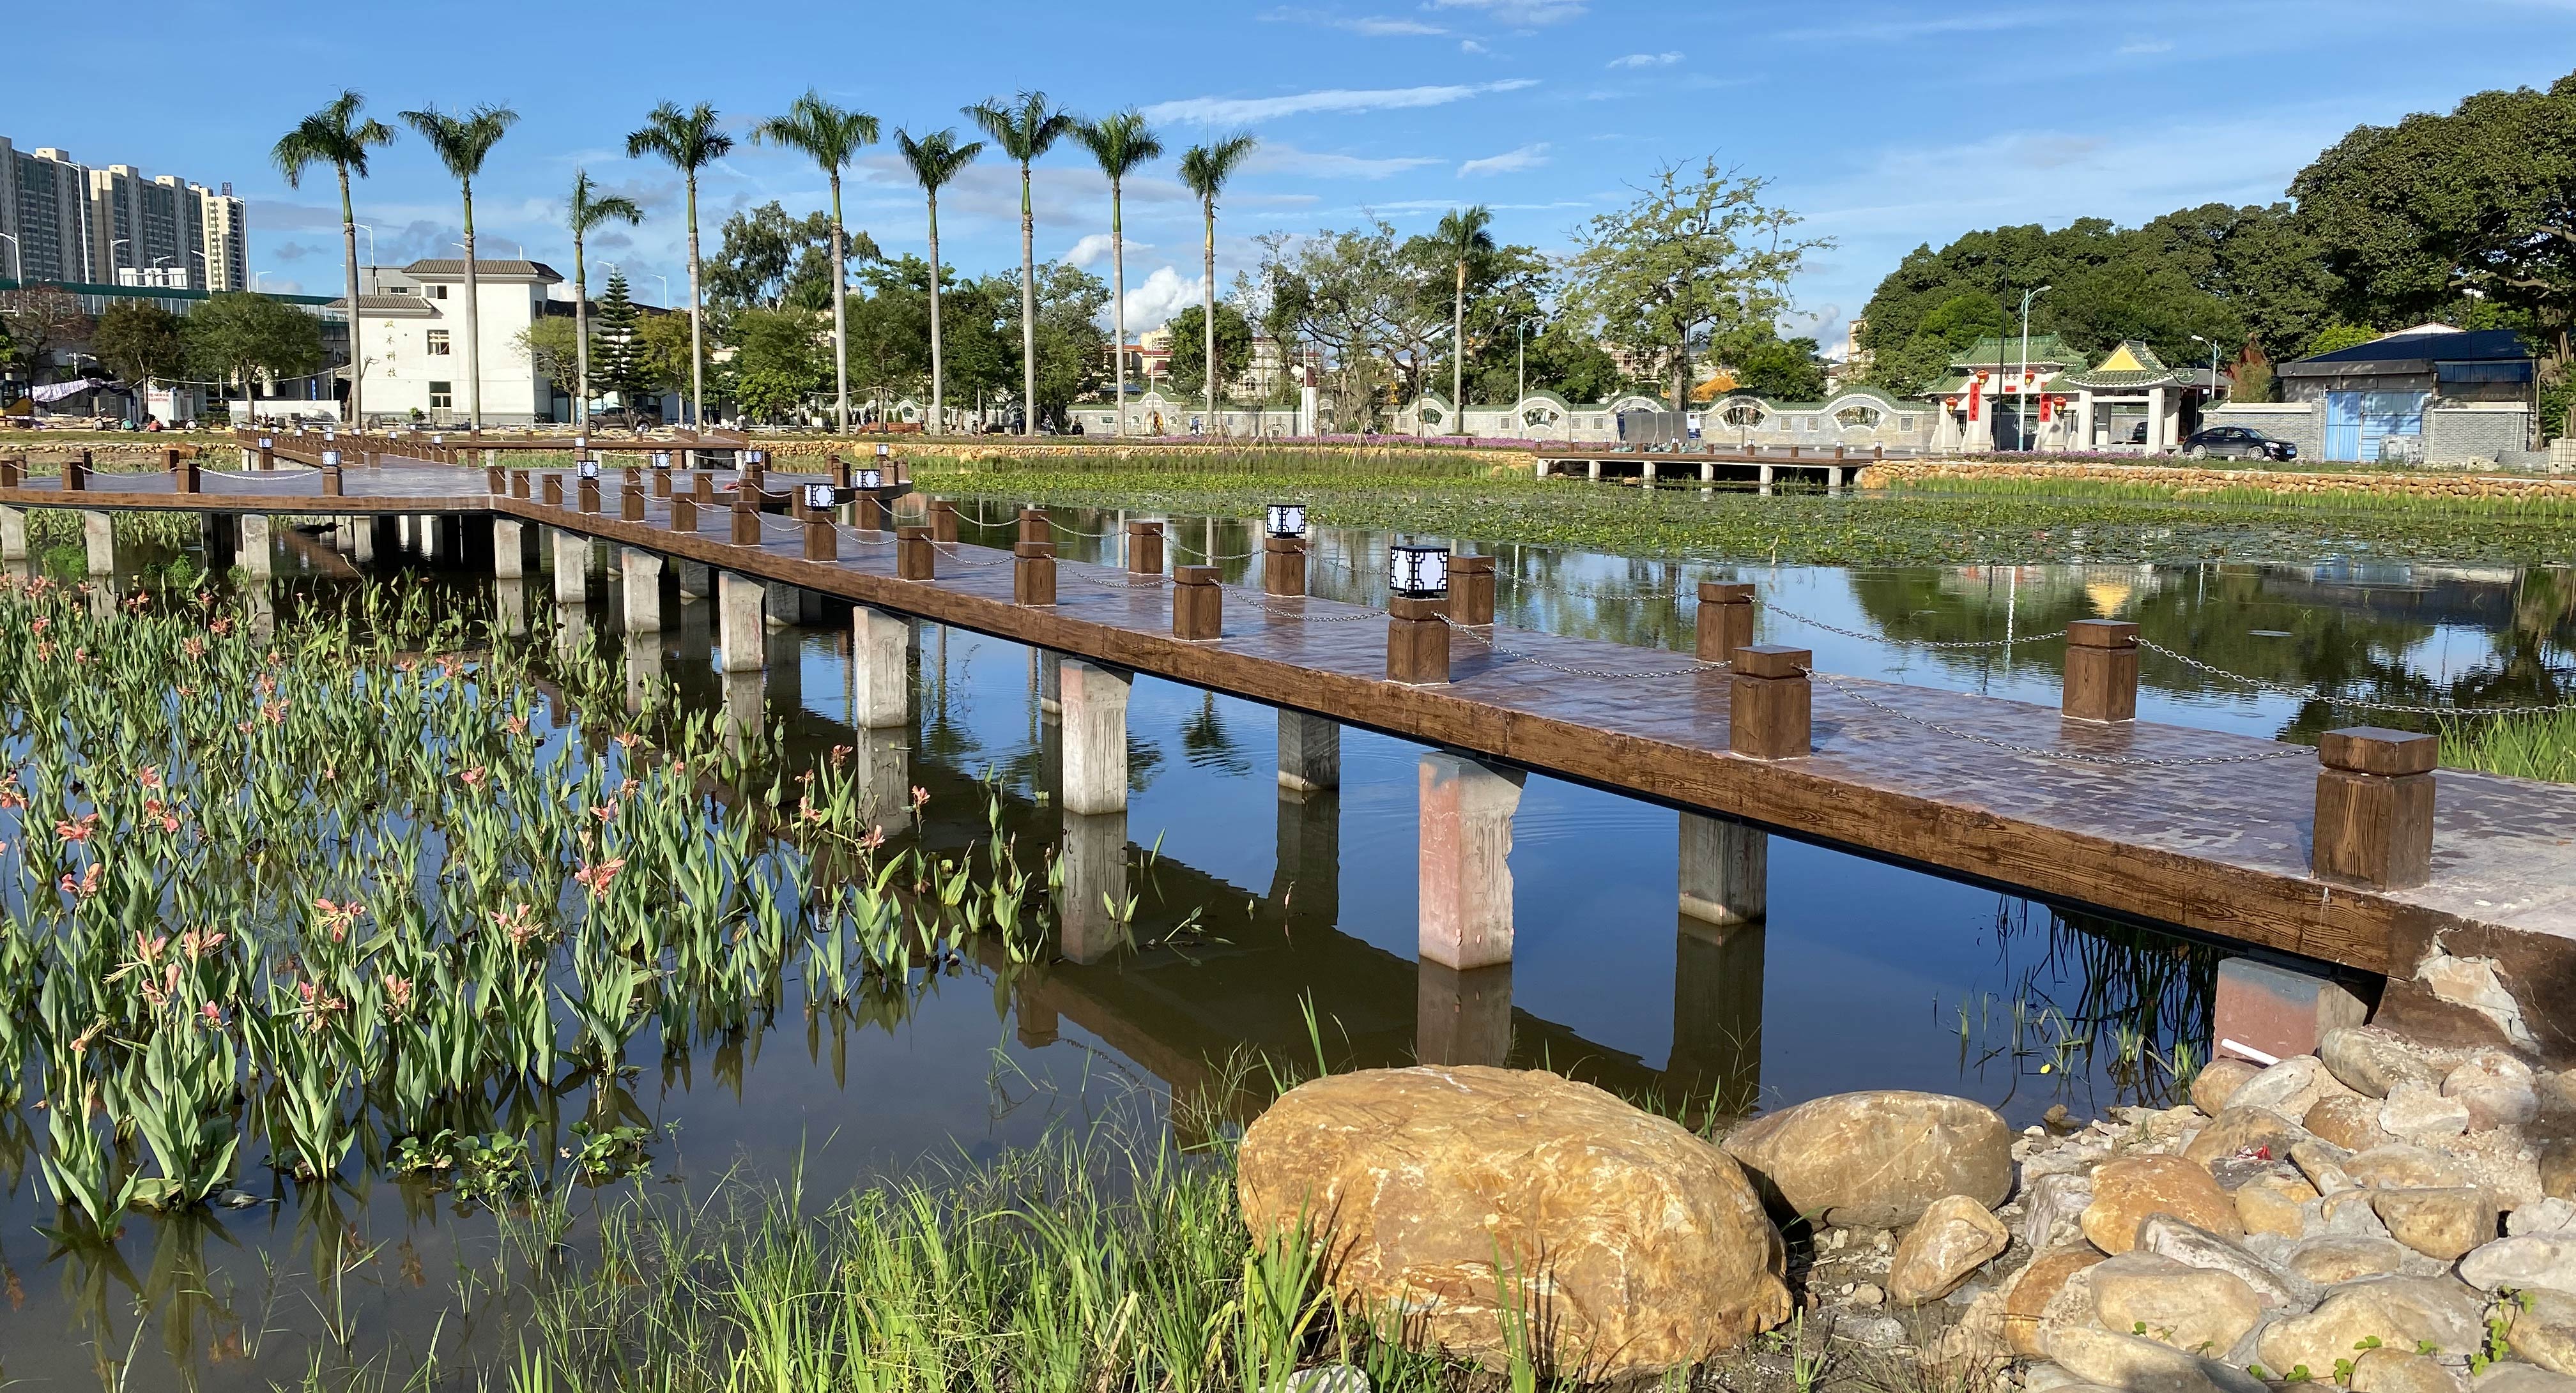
x=1650, y=1245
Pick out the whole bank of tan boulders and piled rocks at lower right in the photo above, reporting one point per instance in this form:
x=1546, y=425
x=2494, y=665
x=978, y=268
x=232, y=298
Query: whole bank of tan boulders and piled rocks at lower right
x=2379, y=1217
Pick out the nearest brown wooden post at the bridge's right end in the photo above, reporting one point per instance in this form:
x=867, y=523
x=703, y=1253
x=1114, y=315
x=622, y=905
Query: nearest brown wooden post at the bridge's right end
x=2374, y=807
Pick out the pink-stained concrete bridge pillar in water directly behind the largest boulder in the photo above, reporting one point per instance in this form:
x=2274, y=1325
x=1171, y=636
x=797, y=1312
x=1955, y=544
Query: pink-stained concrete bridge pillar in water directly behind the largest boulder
x=1467, y=861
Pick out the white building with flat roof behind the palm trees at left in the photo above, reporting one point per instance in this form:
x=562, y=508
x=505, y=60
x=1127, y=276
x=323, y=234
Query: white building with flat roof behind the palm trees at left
x=413, y=341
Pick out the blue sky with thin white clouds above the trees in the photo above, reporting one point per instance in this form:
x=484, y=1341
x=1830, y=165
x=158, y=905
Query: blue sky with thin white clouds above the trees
x=1884, y=125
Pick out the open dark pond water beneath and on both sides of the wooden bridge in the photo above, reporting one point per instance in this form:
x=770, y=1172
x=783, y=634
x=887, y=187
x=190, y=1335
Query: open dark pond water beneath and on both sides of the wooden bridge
x=1289, y=926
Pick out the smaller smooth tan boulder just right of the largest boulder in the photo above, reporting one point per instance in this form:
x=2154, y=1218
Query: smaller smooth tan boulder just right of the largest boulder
x=1877, y=1160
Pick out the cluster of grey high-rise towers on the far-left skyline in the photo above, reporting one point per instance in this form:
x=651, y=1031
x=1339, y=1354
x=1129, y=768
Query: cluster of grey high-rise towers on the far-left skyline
x=117, y=228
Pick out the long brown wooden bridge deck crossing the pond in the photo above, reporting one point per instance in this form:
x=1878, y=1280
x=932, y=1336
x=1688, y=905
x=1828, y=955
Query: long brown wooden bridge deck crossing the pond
x=2206, y=848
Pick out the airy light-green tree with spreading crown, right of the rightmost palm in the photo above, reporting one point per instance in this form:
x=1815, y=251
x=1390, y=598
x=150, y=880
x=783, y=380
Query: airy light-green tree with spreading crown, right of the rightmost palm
x=1689, y=259
